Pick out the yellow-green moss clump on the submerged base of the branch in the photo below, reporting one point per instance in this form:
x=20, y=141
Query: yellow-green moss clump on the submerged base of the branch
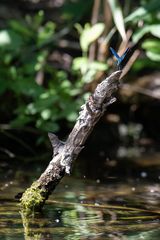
x=32, y=199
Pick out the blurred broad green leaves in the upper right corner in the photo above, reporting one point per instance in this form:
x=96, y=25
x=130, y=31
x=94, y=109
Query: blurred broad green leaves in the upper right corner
x=145, y=21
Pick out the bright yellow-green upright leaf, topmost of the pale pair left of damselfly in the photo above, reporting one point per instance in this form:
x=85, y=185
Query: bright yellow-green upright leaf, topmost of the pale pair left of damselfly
x=90, y=34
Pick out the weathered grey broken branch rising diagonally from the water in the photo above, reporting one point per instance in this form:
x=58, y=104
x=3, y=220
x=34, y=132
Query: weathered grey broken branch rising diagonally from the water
x=64, y=153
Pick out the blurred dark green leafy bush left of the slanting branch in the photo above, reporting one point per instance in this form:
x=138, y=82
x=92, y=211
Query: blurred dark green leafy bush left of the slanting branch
x=23, y=59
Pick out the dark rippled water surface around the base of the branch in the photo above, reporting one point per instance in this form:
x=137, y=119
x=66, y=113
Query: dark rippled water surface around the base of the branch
x=80, y=209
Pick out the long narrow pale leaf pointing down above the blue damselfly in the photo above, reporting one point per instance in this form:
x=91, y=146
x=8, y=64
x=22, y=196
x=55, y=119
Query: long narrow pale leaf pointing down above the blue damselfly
x=118, y=17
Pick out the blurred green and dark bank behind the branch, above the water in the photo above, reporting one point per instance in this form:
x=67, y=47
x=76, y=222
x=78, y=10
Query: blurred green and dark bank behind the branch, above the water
x=53, y=54
